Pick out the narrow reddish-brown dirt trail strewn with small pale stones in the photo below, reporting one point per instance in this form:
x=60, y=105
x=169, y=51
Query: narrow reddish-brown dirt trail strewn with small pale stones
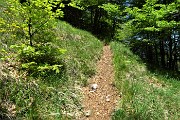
x=100, y=103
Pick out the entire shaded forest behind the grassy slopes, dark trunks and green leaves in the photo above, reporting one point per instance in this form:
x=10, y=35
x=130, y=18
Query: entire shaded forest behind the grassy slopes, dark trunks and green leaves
x=150, y=27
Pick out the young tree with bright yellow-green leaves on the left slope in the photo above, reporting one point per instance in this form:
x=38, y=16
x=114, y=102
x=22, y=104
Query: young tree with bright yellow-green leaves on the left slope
x=31, y=26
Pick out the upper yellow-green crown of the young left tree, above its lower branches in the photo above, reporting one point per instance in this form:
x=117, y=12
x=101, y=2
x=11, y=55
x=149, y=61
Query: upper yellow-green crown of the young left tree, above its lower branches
x=34, y=18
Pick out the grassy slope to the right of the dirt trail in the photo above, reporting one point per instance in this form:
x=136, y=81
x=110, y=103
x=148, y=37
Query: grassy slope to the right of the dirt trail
x=145, y=95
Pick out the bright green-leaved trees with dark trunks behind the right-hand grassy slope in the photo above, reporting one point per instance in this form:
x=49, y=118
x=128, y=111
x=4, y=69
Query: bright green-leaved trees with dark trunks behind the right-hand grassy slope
x=156, y=22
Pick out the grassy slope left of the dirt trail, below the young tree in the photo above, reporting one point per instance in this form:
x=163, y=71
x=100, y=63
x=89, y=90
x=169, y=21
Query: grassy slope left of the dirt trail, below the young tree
x=53, y=97
